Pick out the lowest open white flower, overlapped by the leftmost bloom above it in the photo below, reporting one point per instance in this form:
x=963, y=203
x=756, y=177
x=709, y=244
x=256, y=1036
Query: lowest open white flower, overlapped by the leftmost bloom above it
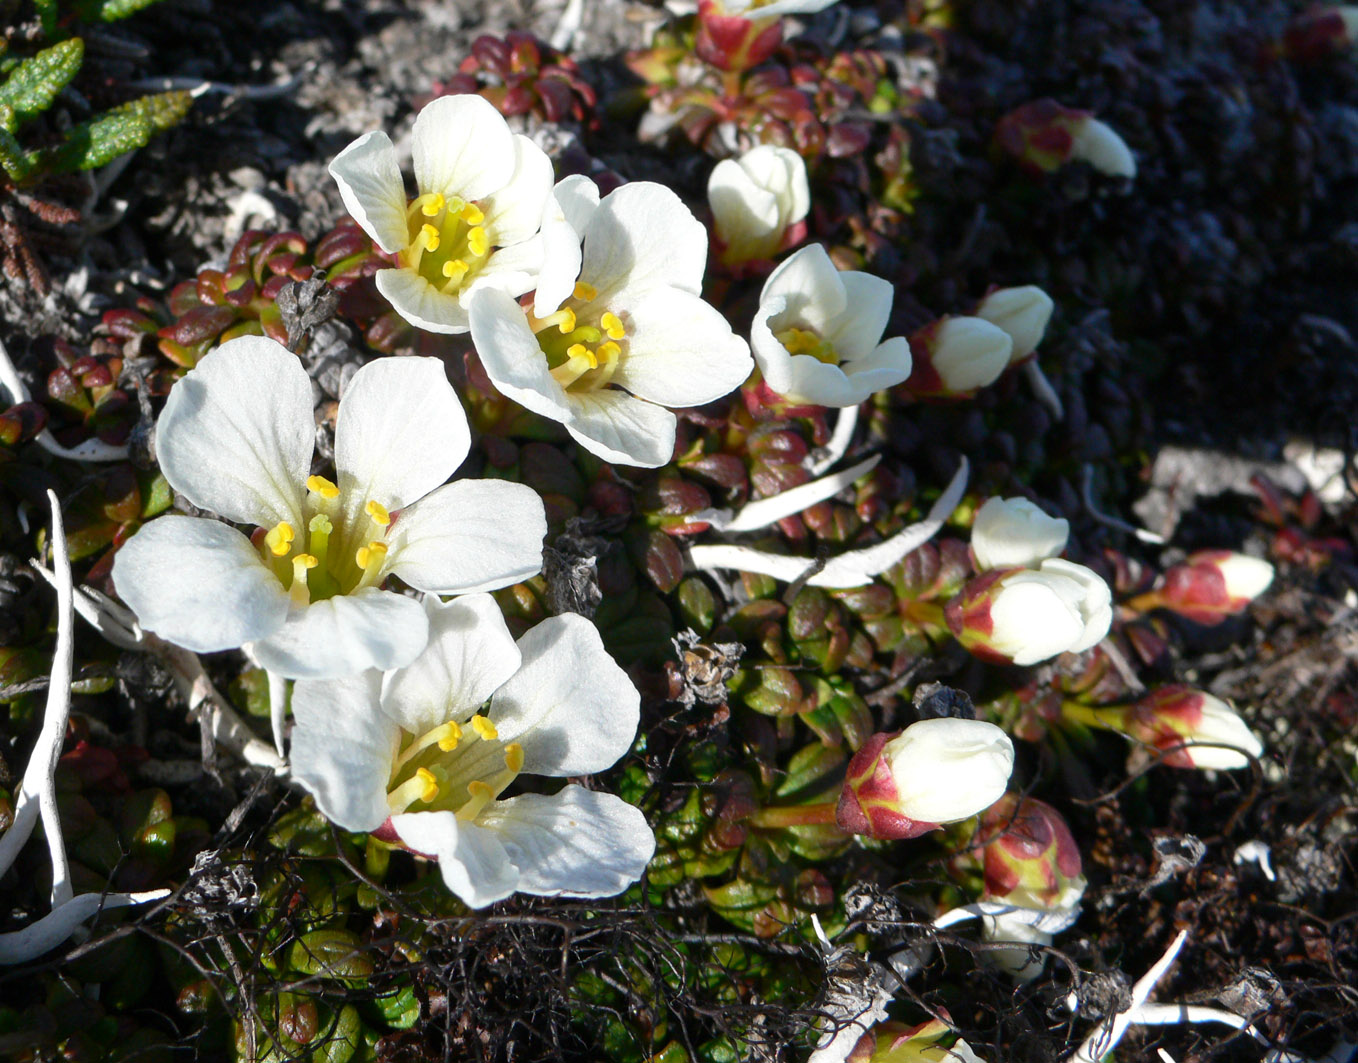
x=424, y=753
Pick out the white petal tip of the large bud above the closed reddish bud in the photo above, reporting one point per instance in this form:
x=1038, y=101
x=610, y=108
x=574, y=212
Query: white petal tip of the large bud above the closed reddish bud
x=947, y=770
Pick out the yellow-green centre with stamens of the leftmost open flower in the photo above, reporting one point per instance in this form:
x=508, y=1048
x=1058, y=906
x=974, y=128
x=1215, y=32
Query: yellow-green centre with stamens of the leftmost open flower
x=321, y=564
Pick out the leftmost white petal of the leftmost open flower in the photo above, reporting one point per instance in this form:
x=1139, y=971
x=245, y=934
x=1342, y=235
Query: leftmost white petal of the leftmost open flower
x=199, y=584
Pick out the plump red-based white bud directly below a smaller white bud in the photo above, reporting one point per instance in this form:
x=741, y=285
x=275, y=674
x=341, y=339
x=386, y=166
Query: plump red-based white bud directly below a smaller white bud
x=1030, y=616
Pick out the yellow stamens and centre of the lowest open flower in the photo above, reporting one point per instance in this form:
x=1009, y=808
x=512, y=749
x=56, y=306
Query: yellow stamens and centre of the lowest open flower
x=453, y=768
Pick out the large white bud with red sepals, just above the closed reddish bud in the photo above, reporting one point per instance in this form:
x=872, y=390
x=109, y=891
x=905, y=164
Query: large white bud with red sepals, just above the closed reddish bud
x=935, y=772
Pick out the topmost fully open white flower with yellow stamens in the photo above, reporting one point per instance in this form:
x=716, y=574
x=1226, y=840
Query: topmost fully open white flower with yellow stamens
x=483, y=193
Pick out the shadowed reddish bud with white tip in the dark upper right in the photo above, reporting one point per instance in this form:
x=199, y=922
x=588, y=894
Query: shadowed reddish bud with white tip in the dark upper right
x=1045, y=136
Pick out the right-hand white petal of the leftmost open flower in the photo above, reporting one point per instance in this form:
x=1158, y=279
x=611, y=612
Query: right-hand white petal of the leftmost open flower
x=469, y=536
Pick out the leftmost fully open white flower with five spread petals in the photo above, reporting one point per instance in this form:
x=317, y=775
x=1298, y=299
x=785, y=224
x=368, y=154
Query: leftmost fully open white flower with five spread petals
x=305, y=597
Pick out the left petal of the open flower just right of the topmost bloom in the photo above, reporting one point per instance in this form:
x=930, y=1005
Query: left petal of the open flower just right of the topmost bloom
x=513, y=358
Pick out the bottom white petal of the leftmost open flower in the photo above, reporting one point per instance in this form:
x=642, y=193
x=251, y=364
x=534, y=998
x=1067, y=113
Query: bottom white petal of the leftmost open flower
x=346, y=635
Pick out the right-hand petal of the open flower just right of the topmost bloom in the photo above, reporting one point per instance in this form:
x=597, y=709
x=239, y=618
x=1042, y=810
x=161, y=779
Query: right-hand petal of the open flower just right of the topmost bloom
x=681, y=351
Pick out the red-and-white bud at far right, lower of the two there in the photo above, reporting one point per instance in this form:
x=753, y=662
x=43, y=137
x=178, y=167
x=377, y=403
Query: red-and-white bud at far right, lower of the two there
x=1170, y=717
